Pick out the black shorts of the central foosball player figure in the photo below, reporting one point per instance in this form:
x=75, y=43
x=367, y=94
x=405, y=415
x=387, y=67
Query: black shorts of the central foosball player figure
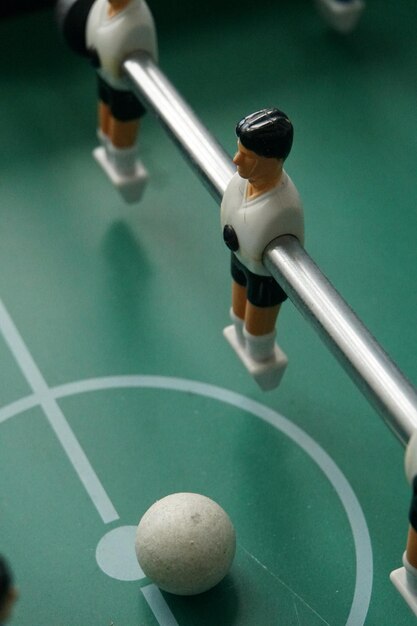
x=263, y=291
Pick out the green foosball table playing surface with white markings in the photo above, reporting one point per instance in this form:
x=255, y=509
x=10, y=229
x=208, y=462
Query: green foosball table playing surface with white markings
x=116, y=385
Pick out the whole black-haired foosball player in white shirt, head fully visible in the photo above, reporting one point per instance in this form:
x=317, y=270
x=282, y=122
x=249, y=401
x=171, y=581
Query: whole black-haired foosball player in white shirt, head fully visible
x=260, y=204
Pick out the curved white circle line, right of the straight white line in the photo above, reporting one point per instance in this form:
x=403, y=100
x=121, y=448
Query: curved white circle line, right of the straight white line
x=361, y=537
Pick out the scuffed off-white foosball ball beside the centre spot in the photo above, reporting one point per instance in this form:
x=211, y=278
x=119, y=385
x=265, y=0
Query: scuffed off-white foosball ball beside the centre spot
x=185, y=543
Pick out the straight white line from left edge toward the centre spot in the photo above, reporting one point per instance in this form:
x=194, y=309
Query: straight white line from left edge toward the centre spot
x=56, y=418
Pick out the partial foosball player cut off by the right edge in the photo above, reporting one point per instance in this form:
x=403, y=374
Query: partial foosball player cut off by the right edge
x=405, y=578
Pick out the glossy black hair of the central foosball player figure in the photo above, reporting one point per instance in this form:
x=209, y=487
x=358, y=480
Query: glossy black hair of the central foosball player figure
x=268, y=133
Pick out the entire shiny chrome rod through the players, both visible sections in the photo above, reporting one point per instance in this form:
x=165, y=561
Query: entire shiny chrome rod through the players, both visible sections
x=369, y=366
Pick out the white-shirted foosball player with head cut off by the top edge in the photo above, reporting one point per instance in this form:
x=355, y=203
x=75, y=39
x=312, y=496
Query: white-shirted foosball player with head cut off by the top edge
x=115, y=29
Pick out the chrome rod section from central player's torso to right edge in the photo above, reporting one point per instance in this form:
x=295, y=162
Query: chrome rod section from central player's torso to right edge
x=369, y=366
